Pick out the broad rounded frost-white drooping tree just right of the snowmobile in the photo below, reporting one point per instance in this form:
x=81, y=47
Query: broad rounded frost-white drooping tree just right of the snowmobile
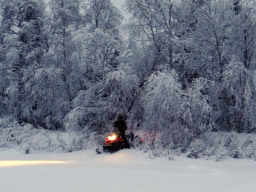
x=180, y=114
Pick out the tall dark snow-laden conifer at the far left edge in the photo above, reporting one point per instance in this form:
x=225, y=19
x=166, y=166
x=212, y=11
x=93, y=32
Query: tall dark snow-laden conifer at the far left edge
x=24, y=44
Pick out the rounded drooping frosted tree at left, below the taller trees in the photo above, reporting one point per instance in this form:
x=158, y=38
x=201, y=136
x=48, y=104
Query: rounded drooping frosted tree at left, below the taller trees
x=48, y=99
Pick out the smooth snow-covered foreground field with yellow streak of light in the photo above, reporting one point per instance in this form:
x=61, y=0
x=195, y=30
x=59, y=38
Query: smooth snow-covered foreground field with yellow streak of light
x=124, y=171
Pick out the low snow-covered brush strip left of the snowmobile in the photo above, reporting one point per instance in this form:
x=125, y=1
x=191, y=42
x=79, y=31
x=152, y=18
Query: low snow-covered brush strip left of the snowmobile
x=28, y=139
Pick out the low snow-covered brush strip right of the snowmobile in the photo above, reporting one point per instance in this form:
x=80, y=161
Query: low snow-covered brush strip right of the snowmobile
x=212, y=145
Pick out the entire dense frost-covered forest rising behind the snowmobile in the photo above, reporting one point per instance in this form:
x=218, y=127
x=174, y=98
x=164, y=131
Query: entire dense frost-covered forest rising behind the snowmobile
x=182, y=68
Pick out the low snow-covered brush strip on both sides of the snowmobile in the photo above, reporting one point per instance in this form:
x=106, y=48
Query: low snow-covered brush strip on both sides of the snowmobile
x=216, y=146
